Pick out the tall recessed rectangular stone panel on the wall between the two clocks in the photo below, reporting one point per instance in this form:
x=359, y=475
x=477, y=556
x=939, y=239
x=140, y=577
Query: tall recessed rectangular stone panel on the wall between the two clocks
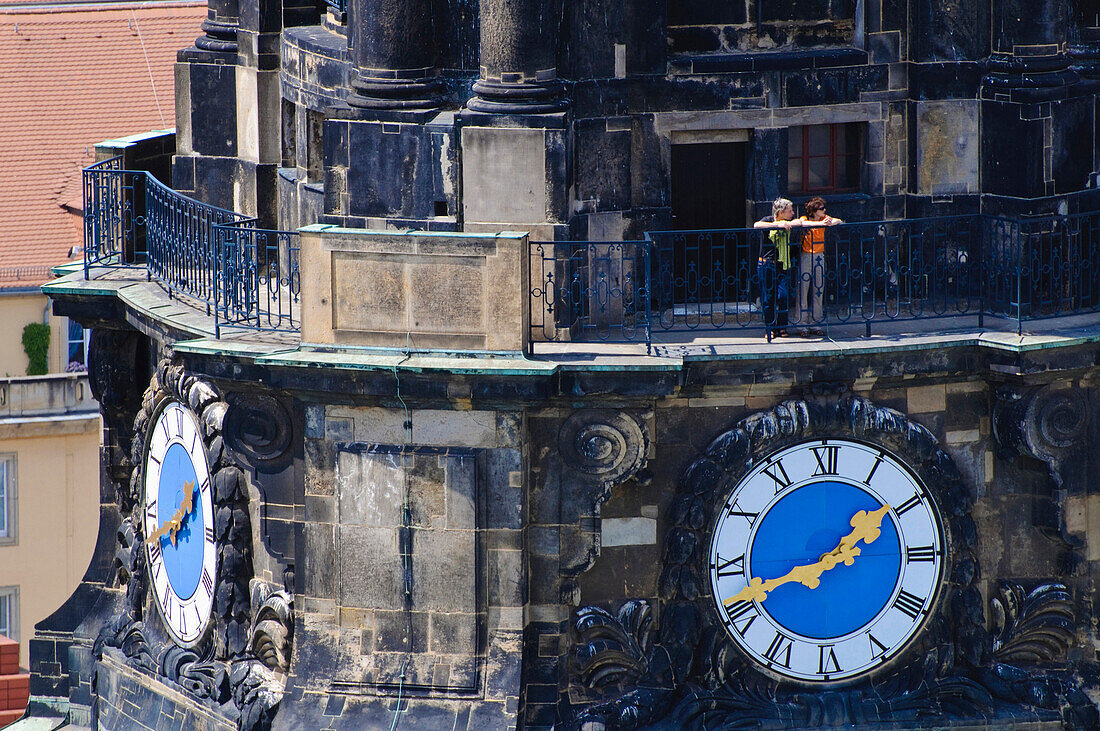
x=408, y=513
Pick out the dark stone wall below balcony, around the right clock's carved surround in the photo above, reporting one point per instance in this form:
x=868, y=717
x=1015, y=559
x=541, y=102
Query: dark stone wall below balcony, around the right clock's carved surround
x=1028, y=513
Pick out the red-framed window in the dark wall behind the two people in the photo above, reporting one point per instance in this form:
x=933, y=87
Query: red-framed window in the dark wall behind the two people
x=823, y=159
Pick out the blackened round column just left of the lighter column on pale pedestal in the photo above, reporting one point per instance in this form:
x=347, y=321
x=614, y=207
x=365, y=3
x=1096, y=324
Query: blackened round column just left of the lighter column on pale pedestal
x=393, y=46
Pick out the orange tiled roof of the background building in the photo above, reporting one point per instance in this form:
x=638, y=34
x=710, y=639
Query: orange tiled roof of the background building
x=71, y=77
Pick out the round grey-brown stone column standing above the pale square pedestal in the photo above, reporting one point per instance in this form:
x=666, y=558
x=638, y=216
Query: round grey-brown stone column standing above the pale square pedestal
x=519, y=69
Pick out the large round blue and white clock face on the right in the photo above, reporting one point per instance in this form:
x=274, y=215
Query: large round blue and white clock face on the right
x=827, y=560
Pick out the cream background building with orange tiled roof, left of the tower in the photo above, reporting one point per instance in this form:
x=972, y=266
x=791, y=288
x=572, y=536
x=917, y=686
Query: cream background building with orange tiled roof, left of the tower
x=59, y=65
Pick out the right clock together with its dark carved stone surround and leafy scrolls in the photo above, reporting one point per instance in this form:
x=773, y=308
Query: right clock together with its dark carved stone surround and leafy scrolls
x=736, y=662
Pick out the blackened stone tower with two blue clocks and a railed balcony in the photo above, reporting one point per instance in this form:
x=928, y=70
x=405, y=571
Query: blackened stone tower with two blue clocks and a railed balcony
x=449, y=319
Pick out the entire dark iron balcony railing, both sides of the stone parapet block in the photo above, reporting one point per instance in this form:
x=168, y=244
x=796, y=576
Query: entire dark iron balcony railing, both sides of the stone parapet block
x=870, y=273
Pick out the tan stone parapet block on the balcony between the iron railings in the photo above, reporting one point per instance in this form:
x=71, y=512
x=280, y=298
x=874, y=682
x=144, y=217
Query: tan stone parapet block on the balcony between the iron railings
x=432, y=291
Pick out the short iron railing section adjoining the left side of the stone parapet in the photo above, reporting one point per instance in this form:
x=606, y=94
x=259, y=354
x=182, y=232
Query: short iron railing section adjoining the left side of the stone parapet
x=259, y=279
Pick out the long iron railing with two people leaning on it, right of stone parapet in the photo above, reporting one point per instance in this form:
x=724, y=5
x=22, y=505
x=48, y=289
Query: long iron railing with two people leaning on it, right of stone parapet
x=879, y=272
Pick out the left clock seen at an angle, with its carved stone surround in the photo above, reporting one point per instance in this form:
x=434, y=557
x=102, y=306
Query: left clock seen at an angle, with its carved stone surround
x=219, y=635
